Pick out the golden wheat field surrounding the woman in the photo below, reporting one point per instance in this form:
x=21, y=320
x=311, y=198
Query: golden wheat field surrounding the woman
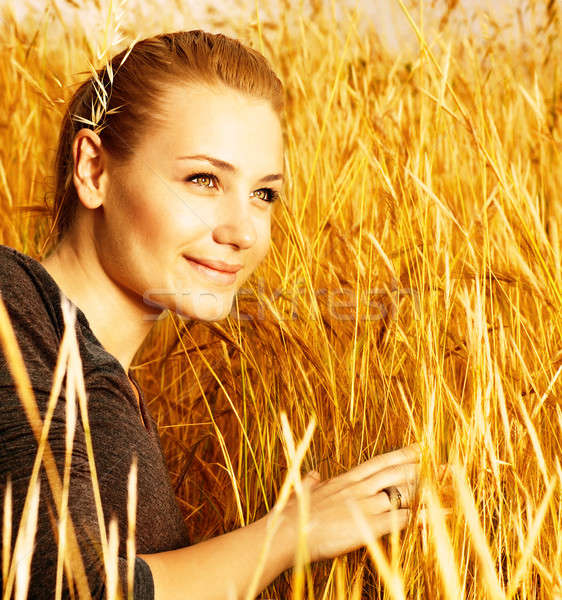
x=413, y=290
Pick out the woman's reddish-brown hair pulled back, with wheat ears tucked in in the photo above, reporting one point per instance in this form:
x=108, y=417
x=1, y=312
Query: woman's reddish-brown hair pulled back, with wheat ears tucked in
x=124, y=100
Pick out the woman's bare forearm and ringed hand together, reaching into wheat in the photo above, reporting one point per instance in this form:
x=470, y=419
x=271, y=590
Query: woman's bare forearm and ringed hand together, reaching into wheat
x=222, y=568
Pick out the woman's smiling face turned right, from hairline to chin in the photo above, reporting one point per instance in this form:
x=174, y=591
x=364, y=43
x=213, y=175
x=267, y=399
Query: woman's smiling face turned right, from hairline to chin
x=187, y=220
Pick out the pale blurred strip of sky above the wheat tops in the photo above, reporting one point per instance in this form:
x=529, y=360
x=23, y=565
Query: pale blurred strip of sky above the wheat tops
x=484, y=18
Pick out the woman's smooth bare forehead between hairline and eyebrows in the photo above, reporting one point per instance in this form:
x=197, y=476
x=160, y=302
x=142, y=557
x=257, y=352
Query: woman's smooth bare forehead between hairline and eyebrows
x=218, y=121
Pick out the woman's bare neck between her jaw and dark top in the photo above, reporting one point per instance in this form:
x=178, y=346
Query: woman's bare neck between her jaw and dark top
x=116, y=316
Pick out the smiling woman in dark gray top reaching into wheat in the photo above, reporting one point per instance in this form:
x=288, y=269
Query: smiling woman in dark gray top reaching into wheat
x=165, y=202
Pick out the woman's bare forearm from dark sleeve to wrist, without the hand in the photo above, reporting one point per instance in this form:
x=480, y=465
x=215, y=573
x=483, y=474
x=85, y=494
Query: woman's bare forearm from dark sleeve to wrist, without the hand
x=221, y=567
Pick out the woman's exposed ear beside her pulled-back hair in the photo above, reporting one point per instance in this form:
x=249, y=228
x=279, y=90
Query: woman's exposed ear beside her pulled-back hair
x=90, y=172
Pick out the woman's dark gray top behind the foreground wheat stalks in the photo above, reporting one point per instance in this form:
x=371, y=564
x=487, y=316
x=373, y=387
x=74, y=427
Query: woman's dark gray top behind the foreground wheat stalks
x=33, y=301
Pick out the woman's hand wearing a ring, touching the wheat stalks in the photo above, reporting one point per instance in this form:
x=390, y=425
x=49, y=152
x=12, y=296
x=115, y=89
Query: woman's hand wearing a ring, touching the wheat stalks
x=331, y=528
